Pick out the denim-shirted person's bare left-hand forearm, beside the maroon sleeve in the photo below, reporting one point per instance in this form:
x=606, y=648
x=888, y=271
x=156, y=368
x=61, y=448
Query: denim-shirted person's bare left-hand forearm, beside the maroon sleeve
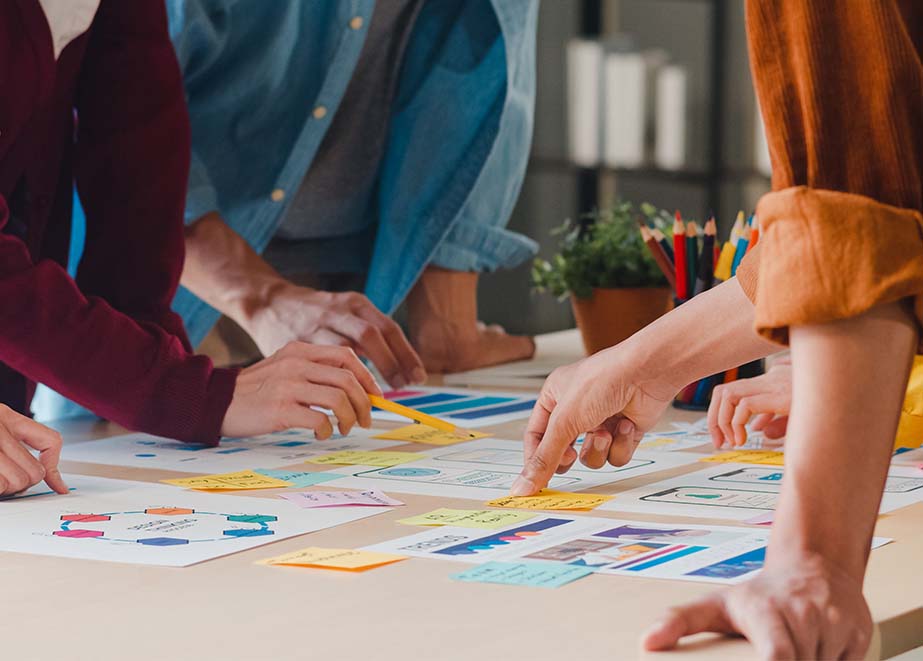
x=225, y=272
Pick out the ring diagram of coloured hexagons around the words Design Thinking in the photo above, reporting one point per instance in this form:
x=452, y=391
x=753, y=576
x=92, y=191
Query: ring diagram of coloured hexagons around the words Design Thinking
x=164, y=526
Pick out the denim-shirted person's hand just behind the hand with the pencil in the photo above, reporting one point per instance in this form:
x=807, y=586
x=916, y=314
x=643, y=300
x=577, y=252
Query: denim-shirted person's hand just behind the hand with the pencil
x=346, y=319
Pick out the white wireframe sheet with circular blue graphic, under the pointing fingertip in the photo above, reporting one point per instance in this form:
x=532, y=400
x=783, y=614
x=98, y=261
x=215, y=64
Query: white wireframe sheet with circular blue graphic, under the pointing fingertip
x=486, y=468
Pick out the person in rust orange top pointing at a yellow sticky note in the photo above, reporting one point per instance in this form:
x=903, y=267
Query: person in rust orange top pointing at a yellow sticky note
x=838, y=276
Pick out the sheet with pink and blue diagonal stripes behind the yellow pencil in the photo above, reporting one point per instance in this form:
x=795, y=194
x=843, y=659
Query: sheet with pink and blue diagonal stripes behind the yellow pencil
x=462, y=407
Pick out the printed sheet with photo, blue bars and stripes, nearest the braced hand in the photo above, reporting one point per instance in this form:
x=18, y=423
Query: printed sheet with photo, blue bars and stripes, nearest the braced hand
x=712, y=554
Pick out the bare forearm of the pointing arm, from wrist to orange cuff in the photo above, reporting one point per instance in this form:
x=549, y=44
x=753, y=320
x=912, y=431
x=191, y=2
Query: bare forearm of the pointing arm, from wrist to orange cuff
x=708, y=334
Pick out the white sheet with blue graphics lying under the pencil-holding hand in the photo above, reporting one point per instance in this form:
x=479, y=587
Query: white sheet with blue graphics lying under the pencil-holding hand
x=232, y=454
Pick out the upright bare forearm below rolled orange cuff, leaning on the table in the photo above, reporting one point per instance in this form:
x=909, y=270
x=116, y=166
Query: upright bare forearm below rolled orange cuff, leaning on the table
x=848, y=385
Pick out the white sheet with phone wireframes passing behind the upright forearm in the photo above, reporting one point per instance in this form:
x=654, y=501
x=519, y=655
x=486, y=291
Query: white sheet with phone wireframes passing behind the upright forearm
x=739, y=492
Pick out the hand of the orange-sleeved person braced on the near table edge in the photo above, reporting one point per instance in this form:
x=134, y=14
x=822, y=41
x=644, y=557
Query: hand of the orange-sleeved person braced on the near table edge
x=805, y=608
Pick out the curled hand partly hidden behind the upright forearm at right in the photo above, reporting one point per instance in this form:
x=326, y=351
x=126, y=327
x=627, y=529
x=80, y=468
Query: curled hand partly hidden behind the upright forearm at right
x=766, y=398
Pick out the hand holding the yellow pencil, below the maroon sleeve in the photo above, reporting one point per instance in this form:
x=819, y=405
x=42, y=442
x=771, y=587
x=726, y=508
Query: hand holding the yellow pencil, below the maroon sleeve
x=277, y=393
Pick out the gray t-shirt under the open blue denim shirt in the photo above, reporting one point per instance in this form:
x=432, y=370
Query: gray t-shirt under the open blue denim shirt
x=329, y=226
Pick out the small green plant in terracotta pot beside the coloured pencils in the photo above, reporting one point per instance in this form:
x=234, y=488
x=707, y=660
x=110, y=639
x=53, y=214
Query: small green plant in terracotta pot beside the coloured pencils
x=604, y=267
